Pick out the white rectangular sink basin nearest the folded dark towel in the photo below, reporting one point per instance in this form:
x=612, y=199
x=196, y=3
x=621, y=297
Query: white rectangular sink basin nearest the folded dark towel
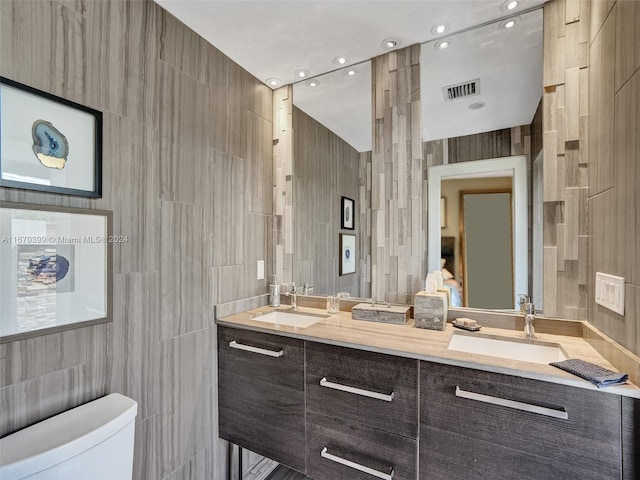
x=504, y=347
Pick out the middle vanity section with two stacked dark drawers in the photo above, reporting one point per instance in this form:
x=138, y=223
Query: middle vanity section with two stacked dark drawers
x=362, y=414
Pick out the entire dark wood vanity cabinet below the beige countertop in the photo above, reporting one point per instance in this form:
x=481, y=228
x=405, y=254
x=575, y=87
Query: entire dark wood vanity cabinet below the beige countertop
x=338, y=413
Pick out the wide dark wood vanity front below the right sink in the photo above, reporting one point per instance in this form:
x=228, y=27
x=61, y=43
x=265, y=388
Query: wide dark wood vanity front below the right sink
x=482, y=425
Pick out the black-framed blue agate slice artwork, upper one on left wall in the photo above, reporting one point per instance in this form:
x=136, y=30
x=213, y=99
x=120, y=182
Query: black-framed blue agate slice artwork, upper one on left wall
x=48, y=143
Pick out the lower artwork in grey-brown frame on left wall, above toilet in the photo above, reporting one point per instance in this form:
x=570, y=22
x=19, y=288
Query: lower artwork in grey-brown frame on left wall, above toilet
x=55, y=269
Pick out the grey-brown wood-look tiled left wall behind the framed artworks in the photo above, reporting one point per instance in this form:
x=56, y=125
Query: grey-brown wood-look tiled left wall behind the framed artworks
x=188, y=174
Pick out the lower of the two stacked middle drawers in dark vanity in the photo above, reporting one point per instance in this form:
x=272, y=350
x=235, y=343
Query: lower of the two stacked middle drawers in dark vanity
x=338, y=449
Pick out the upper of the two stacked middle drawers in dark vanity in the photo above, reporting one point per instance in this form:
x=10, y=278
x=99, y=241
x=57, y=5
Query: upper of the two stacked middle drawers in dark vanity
x=371, y=388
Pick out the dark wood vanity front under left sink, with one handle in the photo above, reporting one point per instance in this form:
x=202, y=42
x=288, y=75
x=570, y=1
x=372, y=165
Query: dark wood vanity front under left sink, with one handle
x=261, y=394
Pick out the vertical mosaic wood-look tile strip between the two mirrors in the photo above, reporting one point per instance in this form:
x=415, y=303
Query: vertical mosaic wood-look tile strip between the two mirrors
x=397, y=211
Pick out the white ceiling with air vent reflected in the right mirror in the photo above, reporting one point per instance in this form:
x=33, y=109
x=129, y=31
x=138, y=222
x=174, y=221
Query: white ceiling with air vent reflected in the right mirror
x=508, y=65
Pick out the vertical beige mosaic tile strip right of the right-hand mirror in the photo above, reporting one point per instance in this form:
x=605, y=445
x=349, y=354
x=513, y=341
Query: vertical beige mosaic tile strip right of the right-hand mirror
x=566, y=127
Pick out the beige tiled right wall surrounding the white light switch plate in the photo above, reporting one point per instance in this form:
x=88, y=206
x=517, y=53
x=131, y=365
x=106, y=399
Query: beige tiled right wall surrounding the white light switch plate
x=613, y=200
